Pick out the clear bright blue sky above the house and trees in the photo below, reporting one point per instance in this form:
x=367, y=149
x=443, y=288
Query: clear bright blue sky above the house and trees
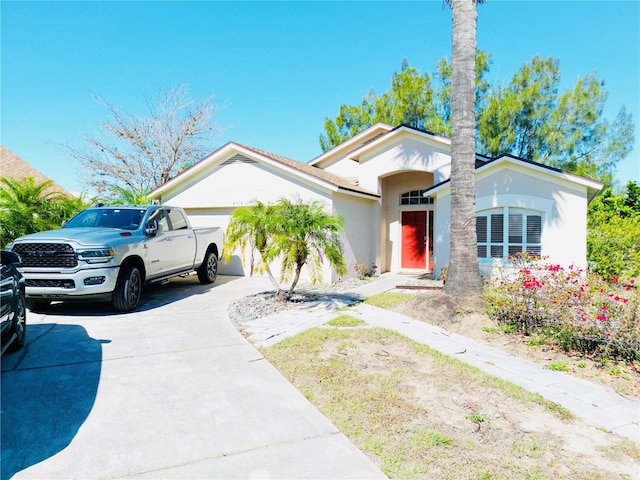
x=280, y=68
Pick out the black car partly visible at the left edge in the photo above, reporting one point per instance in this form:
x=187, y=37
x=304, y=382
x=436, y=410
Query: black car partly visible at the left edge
x=12, y=304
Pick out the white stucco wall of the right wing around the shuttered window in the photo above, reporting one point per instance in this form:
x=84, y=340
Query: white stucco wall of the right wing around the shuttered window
x=563, y=206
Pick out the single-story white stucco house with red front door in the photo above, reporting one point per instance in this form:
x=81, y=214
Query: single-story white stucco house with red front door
x=391, y=185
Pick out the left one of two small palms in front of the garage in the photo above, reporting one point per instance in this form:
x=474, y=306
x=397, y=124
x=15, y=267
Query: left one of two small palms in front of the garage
x=250, y=229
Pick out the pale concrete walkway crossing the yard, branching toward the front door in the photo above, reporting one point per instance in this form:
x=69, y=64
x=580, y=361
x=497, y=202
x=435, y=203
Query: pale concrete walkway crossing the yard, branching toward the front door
x=584, y=399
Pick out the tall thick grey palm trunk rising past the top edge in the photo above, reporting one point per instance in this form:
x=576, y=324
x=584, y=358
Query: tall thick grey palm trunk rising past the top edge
x=463, y=277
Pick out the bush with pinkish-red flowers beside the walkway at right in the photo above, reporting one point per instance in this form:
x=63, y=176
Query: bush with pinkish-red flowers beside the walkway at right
x=575, y=310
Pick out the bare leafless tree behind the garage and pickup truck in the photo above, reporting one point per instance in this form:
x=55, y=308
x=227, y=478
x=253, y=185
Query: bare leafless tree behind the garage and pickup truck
x=140, y=152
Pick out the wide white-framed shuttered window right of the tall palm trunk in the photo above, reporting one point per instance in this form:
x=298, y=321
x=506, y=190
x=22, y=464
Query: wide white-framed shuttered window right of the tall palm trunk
x=507, y=231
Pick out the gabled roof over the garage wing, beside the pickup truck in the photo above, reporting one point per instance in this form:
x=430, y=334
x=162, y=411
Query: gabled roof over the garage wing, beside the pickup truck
x=226, y=151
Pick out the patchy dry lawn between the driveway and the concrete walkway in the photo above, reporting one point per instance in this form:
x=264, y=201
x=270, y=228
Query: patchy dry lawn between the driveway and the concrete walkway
x=420, y=414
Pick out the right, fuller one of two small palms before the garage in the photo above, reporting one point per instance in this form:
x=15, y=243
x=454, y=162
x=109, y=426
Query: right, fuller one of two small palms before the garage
x=306, y=235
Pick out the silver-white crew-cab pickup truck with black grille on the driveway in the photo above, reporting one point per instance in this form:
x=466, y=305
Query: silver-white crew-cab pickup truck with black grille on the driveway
x=109, y=253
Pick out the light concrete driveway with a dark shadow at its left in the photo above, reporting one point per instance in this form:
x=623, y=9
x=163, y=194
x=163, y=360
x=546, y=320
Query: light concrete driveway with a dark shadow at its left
x=169, y=391
